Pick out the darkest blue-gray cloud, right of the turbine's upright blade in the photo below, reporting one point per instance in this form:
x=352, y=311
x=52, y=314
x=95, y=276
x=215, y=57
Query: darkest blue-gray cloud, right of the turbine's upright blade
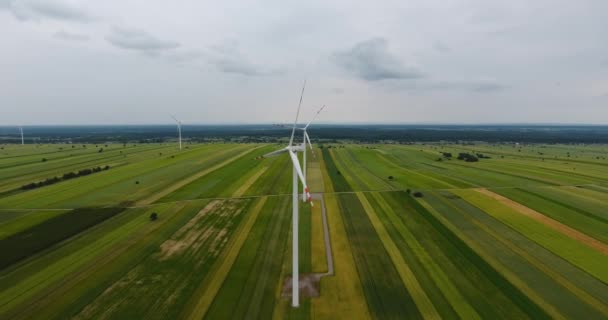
x=371, y=61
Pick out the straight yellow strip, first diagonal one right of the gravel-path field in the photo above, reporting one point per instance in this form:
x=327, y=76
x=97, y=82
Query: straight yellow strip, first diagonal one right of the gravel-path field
x=426, y=307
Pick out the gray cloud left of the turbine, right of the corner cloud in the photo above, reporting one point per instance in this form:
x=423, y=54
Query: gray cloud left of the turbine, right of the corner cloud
x=138, y=40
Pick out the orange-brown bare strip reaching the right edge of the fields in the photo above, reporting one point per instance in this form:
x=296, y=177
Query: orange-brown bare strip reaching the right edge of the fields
x=555, y=225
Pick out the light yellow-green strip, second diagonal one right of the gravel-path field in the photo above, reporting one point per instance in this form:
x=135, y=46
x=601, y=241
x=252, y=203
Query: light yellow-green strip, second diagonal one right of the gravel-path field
x=458, y=302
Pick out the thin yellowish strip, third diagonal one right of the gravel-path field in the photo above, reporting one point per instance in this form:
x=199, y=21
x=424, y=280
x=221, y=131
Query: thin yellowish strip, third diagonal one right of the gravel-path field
x=507, y=273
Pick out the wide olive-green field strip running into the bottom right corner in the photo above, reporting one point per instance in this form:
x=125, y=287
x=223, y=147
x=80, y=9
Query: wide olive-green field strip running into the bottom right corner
x=553, y=278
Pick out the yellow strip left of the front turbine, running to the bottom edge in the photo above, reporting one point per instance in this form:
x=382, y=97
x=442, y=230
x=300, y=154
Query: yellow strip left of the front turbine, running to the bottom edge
x=216, y=277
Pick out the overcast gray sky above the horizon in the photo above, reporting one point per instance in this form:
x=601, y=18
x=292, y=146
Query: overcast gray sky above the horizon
x=416, y=61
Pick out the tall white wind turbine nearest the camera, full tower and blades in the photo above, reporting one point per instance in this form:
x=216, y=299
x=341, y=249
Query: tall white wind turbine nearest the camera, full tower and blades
x=292, y=149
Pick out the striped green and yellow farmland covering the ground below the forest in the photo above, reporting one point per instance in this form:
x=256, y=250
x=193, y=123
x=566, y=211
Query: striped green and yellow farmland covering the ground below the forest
x=205, y=232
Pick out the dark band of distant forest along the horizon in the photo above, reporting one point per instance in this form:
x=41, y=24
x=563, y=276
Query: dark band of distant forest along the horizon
x=320, y=133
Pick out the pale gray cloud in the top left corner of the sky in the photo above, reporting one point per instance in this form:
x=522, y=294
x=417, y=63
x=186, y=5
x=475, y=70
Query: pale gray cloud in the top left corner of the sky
x=46, y=9
